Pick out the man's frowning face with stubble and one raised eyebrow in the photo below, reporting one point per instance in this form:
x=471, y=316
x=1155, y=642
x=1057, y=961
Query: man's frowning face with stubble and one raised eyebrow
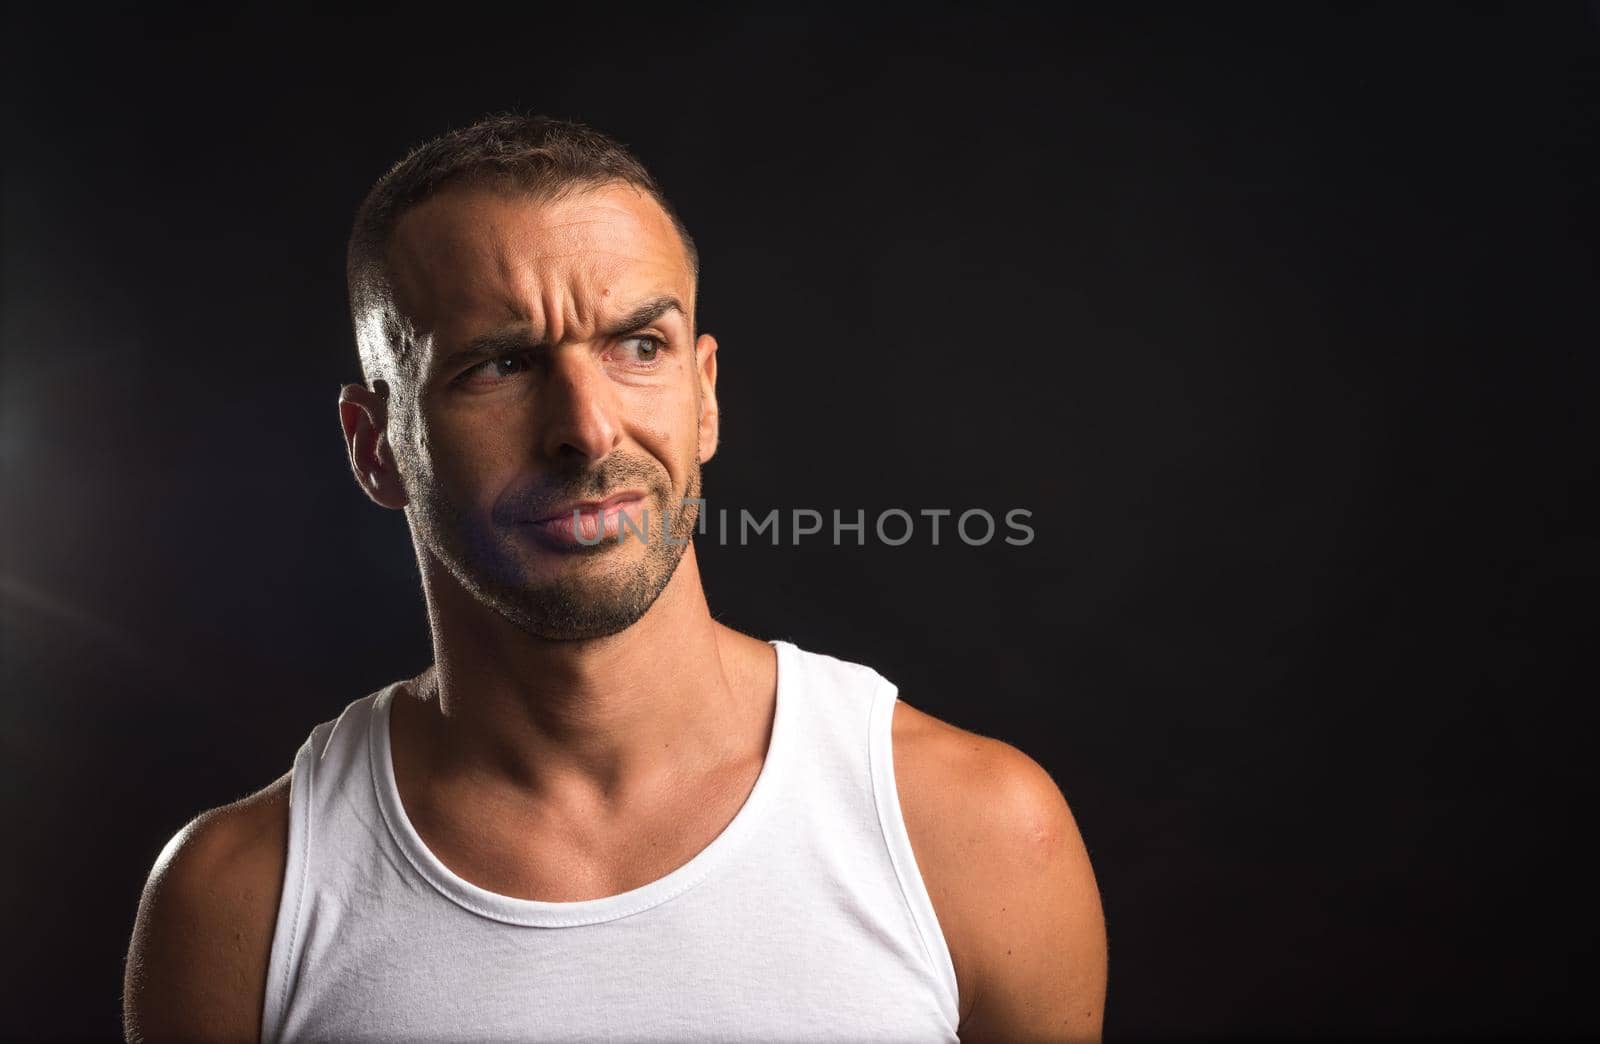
x=556, y=367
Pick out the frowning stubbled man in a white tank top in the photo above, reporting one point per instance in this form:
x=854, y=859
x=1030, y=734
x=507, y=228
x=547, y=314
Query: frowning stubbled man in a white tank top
x=599, y=814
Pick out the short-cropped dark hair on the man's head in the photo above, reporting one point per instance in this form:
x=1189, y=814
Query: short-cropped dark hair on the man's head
x=535, y=155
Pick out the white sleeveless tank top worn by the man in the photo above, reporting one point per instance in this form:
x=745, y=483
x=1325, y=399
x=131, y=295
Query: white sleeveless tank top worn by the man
x=804, y=920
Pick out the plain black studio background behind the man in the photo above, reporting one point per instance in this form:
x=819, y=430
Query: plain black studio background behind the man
x=1279, y=319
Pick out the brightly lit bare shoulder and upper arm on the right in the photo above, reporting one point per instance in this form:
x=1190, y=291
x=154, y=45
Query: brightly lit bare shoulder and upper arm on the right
x=1010, y=881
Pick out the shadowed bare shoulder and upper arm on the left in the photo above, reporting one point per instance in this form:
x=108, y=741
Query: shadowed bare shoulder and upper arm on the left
x=198, y=965
